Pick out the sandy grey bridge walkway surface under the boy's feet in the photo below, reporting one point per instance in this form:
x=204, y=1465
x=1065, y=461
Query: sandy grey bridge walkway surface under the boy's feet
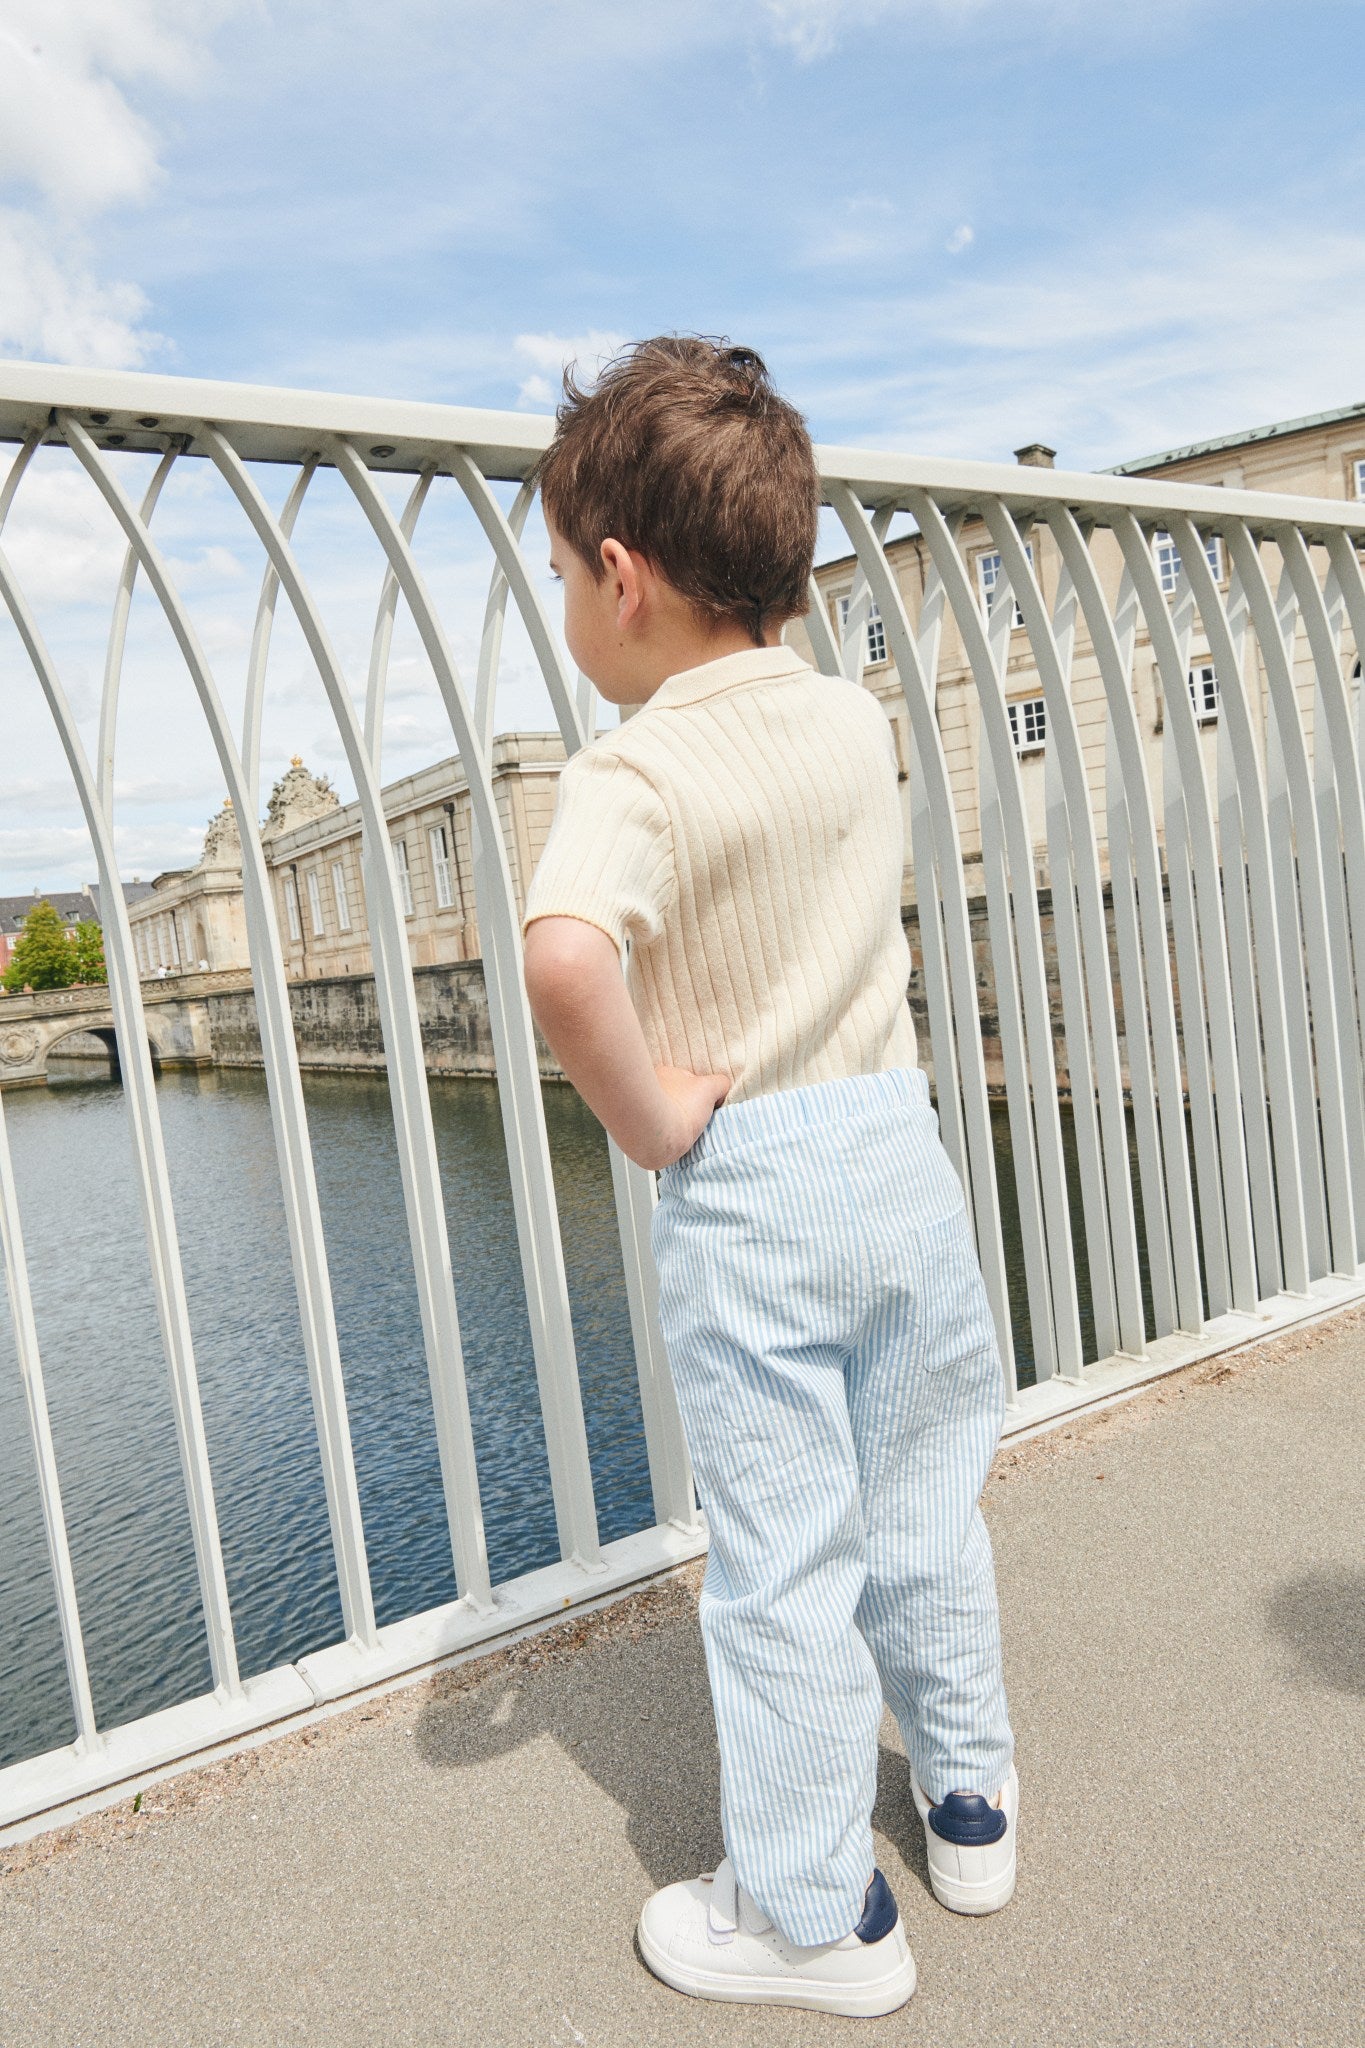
x=1184, y=1592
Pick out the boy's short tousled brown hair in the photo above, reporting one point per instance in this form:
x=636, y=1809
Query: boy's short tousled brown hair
x=685, y=454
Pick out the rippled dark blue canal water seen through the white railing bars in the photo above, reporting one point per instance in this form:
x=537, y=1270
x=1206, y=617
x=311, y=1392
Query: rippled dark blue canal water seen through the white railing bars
x=109, y=1392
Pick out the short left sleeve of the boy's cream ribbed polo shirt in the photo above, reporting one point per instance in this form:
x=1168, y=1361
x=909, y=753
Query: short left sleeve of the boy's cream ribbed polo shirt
x=609, y=857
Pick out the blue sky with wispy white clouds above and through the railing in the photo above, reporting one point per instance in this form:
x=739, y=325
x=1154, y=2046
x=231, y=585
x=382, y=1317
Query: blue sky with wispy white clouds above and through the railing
x=953, y=226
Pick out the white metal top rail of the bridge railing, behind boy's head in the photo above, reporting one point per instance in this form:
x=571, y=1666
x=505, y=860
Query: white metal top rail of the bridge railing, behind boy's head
x=400, y=435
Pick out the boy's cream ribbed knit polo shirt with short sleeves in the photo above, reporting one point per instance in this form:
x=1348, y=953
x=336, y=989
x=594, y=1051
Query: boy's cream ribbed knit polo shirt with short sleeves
x=744, y=833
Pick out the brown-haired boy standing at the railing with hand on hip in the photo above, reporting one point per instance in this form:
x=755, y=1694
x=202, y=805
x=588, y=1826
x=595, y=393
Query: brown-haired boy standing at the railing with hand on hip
x=822, y=1302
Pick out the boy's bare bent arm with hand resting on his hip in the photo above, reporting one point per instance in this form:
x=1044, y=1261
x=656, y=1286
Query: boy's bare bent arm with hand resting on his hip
x=584, y=1009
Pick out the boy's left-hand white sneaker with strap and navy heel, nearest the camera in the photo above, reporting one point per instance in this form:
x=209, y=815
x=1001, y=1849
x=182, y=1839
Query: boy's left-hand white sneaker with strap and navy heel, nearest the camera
x=711, y=1940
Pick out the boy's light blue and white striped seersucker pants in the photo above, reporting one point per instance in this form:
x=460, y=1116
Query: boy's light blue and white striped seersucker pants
x=840, y=1385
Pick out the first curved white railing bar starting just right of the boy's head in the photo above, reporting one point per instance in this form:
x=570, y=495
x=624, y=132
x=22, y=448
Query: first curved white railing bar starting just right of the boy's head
x=938, y=871
